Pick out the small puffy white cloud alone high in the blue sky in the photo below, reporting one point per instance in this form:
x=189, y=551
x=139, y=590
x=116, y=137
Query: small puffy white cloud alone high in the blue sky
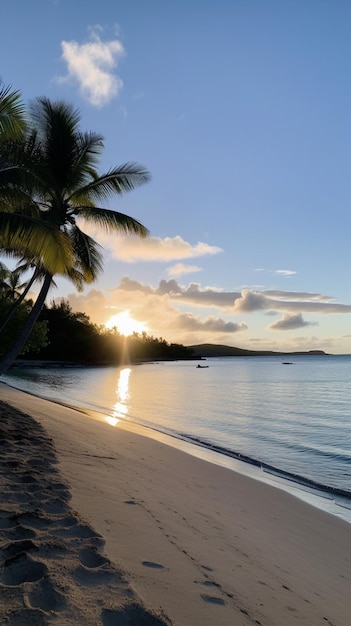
x=91, y=64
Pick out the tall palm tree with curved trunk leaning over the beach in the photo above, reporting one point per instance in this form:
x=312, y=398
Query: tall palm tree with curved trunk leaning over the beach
x=55, y=183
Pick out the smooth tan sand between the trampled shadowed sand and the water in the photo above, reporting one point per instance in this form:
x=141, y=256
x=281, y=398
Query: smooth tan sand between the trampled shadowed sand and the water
x=198, y=543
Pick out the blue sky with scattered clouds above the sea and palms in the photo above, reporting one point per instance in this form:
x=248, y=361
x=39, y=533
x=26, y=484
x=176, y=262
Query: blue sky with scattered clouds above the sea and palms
x=240, y=110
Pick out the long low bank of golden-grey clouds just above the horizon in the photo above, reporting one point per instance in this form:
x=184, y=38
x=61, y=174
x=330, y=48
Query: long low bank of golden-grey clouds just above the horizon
x=167, y=310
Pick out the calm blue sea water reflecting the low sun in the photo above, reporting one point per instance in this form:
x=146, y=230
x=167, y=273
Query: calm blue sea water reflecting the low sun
x=294, y=418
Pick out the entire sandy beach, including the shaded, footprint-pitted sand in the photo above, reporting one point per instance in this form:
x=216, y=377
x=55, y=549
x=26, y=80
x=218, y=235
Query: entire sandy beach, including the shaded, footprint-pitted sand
x=103, y=525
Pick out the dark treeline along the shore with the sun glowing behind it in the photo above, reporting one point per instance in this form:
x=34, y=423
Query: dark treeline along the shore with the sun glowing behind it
x=64, y=335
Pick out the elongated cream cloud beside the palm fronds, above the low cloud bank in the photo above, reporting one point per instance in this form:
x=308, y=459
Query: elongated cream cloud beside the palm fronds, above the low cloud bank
x=131, y=249
